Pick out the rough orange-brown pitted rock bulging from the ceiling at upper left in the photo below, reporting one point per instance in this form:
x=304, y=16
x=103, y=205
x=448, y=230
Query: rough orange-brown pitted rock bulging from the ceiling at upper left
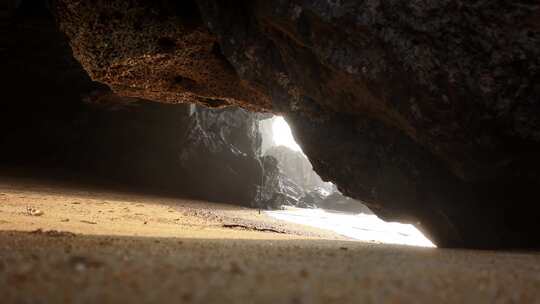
x=153, y=50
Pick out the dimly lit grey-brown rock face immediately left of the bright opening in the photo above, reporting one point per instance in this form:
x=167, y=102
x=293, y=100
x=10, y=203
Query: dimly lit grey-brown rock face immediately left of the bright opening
x=219, y=156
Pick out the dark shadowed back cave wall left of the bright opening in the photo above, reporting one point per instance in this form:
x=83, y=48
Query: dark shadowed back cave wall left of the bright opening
x=57, y=123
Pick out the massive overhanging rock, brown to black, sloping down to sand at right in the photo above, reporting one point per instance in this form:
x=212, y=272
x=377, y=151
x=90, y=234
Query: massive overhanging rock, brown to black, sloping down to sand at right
x=427, y=111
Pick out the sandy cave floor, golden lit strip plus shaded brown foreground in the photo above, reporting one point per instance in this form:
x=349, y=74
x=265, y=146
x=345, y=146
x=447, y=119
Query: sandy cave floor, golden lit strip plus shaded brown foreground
x=103, y=246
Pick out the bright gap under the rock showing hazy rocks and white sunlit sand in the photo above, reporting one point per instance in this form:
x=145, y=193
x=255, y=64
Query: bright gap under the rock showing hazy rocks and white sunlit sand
x=322, y=205
